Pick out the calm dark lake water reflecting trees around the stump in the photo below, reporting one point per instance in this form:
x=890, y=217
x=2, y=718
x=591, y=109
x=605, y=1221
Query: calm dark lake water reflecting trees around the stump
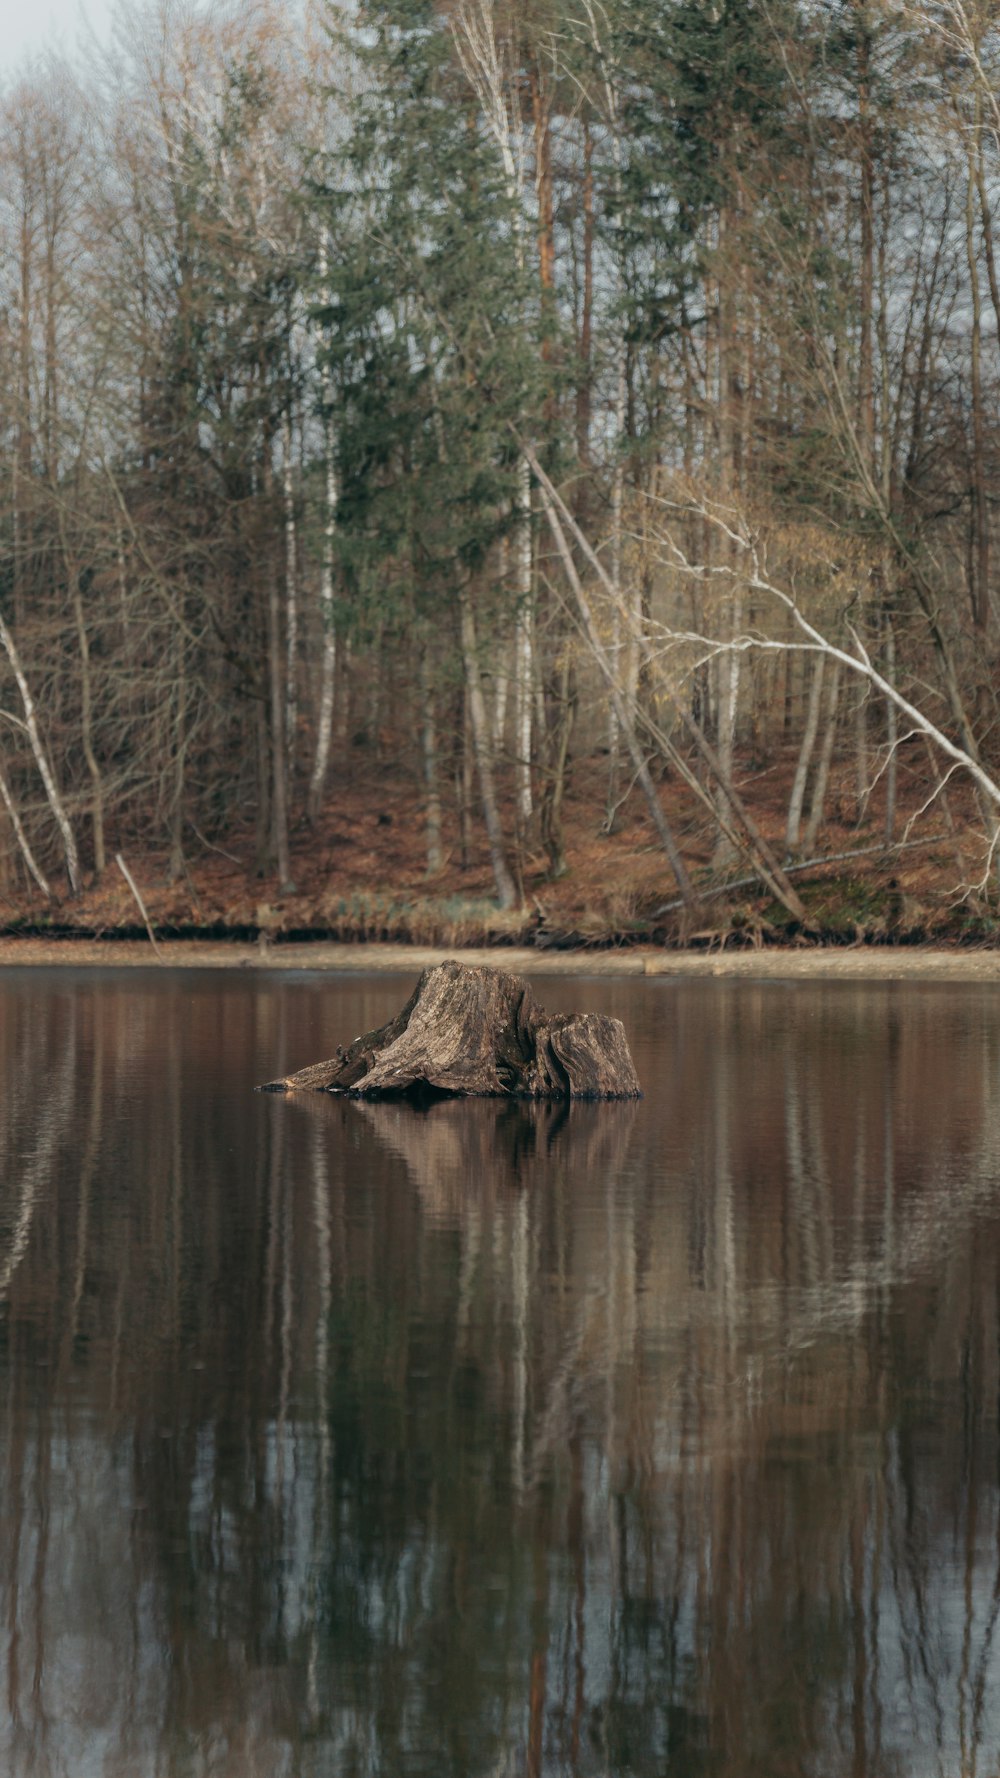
x=346, y=1439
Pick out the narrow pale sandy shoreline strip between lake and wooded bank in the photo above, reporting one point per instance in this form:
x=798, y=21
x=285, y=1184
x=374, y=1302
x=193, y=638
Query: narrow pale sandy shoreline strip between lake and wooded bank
x=807, y=965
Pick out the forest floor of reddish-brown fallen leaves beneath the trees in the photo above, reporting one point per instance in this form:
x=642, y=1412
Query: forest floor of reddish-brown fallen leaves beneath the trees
x=360, y=879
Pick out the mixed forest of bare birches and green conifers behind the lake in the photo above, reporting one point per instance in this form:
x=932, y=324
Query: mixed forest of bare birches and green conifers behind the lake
x=485, y=470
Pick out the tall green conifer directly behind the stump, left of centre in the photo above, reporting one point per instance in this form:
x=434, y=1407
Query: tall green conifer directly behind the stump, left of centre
x=431, y=353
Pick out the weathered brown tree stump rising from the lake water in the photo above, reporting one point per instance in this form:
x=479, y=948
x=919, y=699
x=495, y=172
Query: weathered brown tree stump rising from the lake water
x=480, y=1032
